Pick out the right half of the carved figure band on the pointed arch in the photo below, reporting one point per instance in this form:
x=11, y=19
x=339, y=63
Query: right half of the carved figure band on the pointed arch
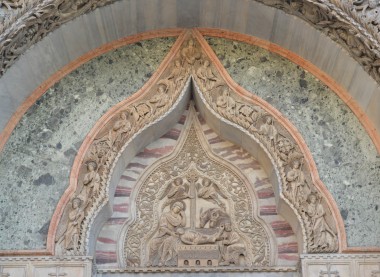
x=297, y=185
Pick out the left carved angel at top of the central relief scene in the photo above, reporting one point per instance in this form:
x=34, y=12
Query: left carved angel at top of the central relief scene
x=175, y=191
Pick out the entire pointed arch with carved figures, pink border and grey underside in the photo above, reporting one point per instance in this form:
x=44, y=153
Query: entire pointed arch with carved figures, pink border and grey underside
x=257, y=127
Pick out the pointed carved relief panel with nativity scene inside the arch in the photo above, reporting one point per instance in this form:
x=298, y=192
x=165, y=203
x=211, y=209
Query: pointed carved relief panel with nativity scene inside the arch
x=193, y=209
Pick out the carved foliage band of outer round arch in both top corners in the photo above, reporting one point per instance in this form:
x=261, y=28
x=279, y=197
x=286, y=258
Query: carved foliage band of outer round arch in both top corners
x=353, y=24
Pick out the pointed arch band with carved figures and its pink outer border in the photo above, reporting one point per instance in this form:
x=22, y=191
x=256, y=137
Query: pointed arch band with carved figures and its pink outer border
x=96, y=158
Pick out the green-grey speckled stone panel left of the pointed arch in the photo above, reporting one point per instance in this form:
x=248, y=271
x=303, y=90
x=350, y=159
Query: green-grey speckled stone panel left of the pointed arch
x=36, y=162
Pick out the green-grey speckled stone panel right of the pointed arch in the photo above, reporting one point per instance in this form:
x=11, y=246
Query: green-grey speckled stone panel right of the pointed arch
x=344, y=154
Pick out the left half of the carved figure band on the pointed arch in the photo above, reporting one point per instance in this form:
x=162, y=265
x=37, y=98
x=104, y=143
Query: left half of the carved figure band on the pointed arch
x=92, y=186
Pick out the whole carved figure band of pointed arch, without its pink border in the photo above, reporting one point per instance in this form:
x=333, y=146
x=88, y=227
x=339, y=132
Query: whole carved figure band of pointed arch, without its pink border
x=297, y=186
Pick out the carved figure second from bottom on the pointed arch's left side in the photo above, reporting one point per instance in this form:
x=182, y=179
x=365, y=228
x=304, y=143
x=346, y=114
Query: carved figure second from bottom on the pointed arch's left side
x=91, y=184
